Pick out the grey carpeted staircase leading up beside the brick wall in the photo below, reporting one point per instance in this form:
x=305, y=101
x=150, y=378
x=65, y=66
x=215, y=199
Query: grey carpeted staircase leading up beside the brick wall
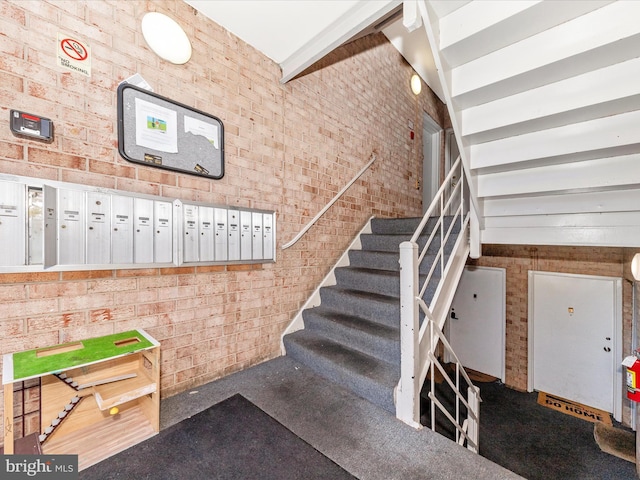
x=353, y=336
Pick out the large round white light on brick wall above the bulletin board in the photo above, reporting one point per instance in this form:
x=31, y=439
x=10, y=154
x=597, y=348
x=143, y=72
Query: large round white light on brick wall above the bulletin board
x=166, y=38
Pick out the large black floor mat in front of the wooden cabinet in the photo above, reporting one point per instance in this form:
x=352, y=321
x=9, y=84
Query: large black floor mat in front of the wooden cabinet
x=232, y=440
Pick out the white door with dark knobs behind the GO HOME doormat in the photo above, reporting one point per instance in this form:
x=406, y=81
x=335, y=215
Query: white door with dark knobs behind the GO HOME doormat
x=575, y=336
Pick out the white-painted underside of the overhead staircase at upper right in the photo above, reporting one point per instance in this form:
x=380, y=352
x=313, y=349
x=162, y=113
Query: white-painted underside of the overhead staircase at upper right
x=544, y=99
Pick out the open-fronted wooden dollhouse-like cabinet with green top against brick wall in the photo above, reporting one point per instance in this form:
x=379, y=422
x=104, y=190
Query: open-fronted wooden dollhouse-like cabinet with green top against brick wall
x=98, y=396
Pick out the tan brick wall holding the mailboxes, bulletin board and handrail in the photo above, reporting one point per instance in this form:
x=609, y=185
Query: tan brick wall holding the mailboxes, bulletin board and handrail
x=289, y=148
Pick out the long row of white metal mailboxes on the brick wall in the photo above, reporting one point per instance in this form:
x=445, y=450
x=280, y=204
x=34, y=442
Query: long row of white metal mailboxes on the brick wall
x=80, y=227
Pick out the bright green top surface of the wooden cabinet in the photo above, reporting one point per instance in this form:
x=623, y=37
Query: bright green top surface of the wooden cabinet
x=28, y=364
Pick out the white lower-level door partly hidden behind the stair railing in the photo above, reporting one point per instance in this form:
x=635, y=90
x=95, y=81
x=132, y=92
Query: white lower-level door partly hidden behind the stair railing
x=477, y=321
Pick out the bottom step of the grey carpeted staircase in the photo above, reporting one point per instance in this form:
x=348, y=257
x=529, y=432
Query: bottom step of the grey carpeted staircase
x=363, y=374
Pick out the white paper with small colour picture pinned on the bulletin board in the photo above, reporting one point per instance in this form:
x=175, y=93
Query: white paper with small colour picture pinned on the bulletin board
x=156, y=127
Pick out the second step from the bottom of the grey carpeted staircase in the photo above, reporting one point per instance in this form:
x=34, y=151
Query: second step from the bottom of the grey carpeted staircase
x=373, y=338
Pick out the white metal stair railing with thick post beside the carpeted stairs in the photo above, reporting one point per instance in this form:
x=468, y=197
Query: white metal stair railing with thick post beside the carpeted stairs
x=420, y=343
